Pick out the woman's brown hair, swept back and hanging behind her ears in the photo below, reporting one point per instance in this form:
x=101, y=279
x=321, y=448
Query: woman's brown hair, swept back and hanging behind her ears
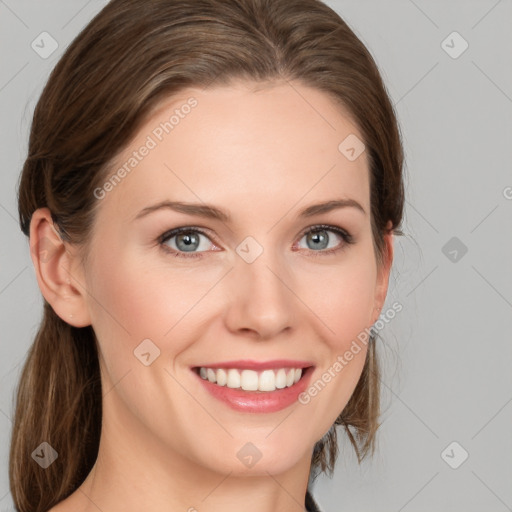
x=129, y=58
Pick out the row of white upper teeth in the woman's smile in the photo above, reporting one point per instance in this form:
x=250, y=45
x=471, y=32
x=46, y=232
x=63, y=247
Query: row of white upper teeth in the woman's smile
x=250, y=380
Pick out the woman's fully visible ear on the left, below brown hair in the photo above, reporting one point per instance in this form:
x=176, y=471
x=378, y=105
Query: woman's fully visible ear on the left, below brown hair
x=58, y=270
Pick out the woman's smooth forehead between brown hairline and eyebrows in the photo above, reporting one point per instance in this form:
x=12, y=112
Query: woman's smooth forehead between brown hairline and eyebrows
x=242, y=146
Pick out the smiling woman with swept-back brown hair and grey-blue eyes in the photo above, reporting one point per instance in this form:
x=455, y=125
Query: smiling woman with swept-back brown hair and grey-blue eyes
x=211, y=192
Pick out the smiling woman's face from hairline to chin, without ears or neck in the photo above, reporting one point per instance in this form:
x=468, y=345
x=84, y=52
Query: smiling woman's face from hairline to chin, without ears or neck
x=266, y=295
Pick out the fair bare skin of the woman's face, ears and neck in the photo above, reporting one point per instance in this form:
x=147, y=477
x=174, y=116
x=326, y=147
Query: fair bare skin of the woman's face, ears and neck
x=262, y=155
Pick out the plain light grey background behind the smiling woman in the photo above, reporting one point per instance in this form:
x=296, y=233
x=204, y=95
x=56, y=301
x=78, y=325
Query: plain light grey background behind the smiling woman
x=447, y=355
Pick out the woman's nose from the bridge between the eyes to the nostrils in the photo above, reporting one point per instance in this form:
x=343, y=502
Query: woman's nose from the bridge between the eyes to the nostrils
x=260, y=300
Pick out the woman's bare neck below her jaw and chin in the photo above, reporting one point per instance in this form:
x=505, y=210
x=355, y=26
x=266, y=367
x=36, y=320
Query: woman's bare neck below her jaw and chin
x=130, y=475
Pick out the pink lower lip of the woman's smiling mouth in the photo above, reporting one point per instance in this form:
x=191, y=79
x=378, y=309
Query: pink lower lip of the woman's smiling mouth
x=258, y=401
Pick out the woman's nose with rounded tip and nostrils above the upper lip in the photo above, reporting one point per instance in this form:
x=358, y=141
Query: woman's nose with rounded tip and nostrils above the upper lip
x=262, y=303
